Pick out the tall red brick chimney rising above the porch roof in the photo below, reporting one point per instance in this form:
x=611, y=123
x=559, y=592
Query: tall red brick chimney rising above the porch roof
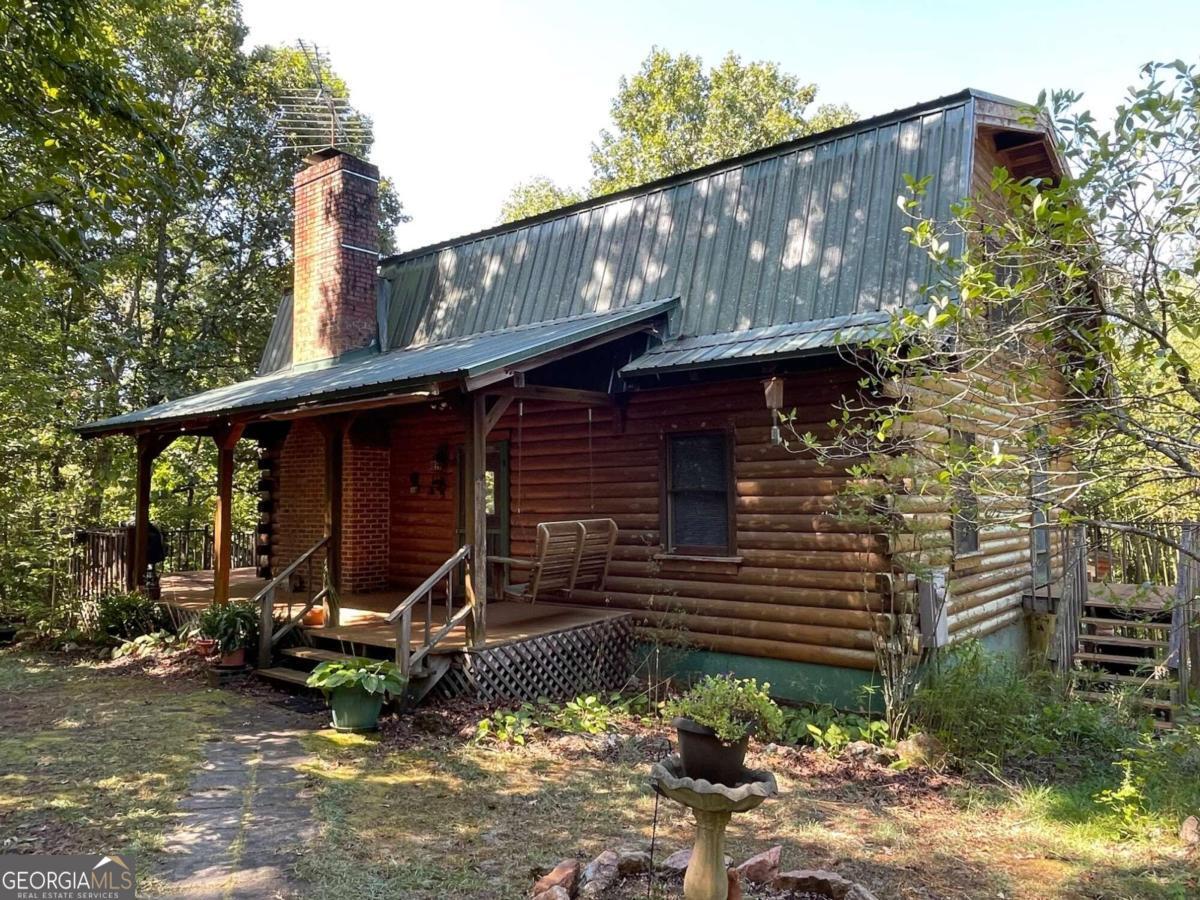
x=337, y=256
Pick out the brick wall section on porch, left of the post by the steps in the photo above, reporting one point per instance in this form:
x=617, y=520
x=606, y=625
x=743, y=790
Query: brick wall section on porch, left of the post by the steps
x=301, y=511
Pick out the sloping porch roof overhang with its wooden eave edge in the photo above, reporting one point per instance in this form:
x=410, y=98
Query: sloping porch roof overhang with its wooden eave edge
x=469, y=363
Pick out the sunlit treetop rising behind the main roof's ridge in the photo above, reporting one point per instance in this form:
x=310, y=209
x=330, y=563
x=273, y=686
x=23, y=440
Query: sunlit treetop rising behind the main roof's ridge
x=674, y=116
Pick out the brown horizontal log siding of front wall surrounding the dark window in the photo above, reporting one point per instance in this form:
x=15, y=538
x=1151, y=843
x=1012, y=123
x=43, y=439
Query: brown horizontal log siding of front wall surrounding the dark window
x=808, y=584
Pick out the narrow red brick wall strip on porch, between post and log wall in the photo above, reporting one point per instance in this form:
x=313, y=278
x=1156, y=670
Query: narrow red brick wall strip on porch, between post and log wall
x=367, y=506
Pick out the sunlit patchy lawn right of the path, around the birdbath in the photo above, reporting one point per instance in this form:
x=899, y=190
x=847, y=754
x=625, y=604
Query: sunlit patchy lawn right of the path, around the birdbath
x=455, y=819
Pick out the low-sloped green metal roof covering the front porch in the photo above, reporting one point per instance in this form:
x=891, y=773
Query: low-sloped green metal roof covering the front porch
x=365, y=374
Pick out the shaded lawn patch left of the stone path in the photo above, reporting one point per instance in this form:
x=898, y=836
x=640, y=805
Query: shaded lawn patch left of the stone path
x=95, y=761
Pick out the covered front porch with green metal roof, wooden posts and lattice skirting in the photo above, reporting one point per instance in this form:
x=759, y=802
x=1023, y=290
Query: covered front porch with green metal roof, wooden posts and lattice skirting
x=383, y=501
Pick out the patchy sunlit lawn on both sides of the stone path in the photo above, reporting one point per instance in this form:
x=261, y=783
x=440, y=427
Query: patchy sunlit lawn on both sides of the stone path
x=91, y=759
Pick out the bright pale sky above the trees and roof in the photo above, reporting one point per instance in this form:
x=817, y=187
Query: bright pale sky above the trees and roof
x=470, y=99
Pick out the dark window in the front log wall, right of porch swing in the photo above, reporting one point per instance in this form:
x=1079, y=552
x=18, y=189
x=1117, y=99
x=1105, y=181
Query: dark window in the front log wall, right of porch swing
x=699, y=495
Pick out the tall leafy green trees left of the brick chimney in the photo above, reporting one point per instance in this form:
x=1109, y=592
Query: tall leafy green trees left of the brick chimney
x=146, y=223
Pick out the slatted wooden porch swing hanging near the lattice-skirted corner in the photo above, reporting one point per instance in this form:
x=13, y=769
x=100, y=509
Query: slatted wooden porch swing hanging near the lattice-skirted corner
x=569, y=555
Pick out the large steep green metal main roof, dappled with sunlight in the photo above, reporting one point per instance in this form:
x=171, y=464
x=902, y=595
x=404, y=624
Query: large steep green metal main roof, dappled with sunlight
x=799, y=233
